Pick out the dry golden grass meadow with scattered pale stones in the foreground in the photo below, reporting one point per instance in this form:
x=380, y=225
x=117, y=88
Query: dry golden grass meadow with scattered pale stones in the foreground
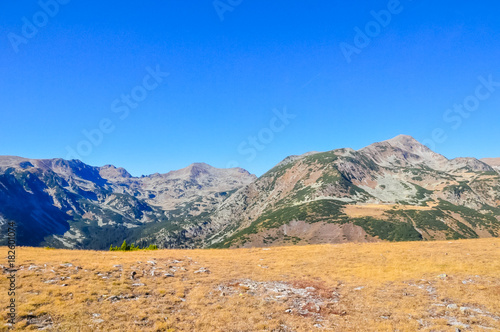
x=347, y=287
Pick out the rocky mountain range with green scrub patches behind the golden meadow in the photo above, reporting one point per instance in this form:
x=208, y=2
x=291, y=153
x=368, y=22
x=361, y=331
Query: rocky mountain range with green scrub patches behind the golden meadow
x=395, y=190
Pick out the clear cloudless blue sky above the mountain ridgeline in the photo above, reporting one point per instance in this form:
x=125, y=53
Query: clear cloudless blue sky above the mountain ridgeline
x=227, y=76
